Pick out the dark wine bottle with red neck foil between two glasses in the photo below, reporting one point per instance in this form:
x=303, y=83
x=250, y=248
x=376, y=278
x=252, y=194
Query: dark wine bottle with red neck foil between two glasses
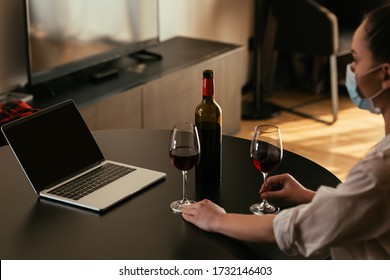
x=208, y=119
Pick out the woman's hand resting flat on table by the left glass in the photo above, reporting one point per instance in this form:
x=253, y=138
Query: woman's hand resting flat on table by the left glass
x=204, y=214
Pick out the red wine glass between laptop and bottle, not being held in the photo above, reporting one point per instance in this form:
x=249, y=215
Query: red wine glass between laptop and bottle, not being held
x=184, y=152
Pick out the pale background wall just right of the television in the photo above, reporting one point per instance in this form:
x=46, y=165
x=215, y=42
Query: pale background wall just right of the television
x=228, y=21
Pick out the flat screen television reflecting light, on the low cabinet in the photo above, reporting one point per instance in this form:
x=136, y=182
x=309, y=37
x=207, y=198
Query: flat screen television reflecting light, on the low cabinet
x=65, y=36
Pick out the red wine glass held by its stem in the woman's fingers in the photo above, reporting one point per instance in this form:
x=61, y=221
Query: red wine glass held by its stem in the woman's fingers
x=266, y=154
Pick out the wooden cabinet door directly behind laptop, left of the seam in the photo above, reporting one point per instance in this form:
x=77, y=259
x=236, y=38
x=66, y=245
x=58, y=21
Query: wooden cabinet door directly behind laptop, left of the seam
x=123, y=110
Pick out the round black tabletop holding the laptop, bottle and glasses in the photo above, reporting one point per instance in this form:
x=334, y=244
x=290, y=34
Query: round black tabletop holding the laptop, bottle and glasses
x=142, y=226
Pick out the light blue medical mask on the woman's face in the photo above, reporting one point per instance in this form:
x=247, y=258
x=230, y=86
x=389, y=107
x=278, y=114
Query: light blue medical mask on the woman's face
x=362, y=103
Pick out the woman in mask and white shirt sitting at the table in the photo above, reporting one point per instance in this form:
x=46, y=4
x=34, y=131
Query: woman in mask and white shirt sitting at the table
x=353, y=220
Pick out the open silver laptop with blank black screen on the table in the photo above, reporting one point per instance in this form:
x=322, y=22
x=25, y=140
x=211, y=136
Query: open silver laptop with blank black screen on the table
x=62, y=161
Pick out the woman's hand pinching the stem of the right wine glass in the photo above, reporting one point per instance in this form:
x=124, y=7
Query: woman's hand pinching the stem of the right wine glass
x=285, y=187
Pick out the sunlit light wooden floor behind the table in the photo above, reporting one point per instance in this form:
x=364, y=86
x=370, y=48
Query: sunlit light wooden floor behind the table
x=336, y=147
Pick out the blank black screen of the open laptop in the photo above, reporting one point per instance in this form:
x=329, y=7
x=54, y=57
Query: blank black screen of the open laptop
x=53, y=145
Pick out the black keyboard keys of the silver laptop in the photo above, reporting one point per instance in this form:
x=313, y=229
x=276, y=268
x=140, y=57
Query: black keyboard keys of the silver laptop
x=92, y=181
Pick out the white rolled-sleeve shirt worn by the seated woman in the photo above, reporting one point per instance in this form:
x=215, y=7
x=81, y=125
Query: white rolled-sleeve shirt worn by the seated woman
x=353, y=220
